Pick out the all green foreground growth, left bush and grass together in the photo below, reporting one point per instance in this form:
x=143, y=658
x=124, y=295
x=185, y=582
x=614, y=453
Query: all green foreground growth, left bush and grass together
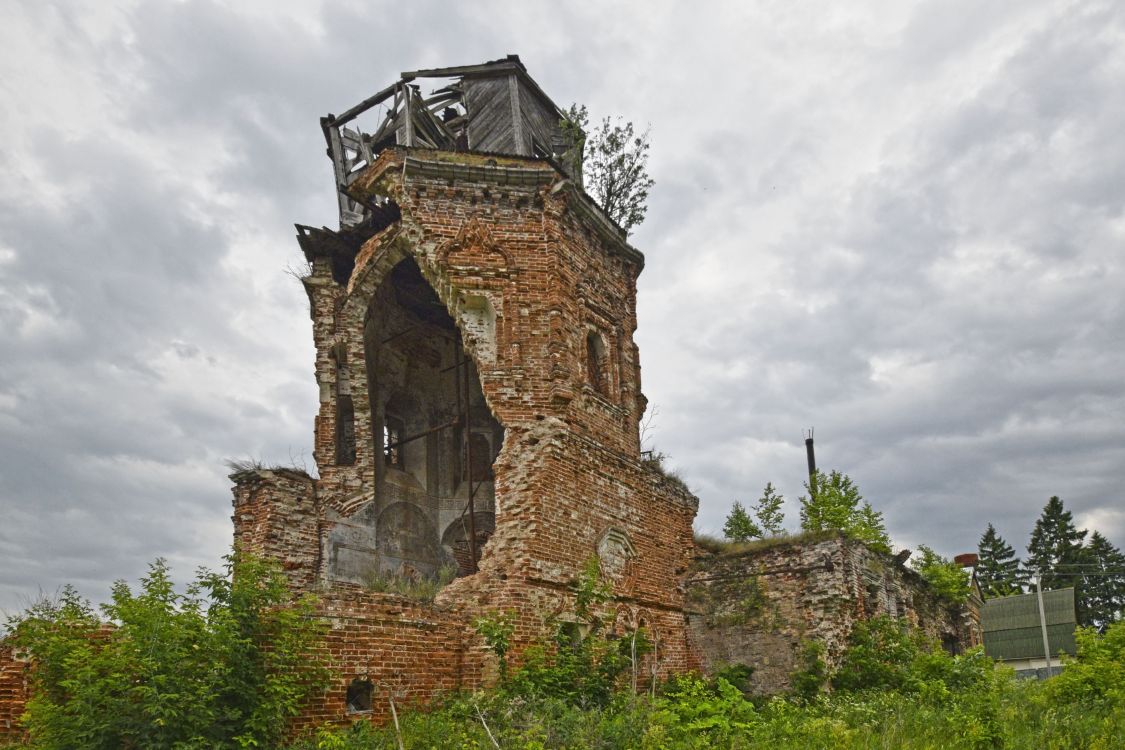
x=229, y=663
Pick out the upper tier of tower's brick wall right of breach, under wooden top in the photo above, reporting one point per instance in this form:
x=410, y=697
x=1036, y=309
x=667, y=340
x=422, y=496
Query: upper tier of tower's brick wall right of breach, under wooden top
x=527, y=276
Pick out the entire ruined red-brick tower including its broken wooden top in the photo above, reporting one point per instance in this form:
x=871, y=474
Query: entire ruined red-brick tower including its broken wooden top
x=480, y=391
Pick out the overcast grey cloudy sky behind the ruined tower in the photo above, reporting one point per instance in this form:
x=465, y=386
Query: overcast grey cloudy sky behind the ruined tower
x=899, y=223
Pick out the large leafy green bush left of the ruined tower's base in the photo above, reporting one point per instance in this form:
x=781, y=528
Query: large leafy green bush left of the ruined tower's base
x=223, y=665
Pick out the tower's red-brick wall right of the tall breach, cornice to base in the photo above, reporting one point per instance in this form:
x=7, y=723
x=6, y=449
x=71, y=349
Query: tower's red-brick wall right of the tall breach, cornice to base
x=507, y=237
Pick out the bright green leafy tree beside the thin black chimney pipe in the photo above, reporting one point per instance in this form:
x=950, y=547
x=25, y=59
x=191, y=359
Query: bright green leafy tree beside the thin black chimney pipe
x=834, y=503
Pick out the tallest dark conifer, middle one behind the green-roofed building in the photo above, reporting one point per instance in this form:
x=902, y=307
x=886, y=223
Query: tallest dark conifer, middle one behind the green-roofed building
x=1056, y=550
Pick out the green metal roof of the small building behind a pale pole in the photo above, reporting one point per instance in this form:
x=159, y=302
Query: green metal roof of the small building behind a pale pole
x=1012, y=625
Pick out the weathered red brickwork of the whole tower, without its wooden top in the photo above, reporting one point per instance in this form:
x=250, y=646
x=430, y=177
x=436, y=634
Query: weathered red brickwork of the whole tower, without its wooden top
x=532, y=275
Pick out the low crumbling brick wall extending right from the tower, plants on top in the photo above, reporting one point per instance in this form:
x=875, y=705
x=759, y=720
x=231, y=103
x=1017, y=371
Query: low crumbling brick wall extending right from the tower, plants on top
x=758, y=608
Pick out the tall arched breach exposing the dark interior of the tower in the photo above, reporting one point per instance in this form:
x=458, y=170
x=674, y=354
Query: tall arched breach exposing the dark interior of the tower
x=435, y=438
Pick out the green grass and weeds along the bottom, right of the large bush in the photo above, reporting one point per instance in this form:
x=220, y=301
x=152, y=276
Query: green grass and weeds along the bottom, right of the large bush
x=893, y=692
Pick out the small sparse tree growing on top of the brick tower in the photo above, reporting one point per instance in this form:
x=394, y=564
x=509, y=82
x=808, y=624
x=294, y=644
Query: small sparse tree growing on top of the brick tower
x=615, y=165
